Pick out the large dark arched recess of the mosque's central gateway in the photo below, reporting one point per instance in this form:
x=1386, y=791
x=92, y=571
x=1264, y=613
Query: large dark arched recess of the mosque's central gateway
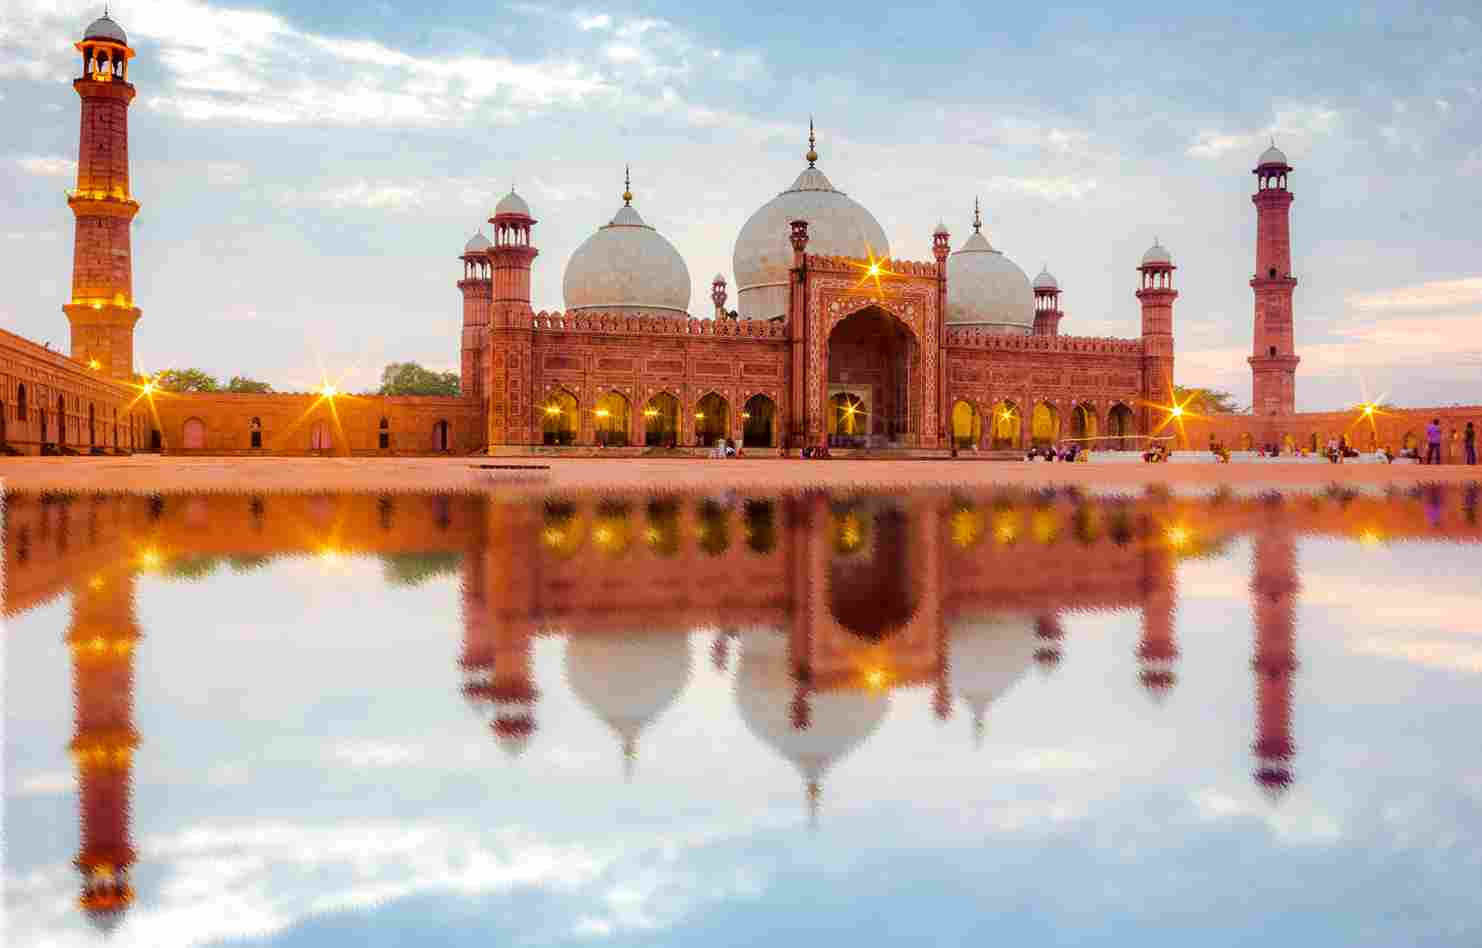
x=874, y=393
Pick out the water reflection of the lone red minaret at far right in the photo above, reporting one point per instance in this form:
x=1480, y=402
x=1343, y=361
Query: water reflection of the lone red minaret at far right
x=1274, y=587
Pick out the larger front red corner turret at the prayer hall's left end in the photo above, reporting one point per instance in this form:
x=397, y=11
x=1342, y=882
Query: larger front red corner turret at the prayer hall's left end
x=508, y=365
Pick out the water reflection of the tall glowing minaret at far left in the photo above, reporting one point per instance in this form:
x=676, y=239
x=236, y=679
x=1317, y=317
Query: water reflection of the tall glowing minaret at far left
x=102, y=638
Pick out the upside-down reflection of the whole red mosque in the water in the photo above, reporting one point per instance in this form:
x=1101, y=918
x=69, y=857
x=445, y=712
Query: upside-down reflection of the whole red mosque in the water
x=835, y=605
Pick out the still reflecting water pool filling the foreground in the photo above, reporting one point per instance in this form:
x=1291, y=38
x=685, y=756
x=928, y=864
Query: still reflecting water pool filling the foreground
x=926, y=718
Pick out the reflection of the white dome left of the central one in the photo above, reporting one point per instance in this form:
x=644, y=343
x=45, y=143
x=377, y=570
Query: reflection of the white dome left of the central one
x=629, y=681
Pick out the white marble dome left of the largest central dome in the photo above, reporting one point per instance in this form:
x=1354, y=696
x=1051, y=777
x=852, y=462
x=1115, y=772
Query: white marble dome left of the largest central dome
x=628, y=267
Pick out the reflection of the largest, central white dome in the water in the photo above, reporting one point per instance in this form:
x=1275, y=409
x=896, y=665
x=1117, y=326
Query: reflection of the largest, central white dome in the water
x=838, y=722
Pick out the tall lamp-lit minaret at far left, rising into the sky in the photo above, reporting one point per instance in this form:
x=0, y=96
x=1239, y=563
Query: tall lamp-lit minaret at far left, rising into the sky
x=102, y=310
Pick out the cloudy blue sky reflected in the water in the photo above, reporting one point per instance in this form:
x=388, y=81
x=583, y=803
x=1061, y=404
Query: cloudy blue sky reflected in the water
x=350, y=796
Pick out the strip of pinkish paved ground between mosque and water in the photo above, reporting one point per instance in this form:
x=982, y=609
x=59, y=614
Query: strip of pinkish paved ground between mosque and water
x=270, y=475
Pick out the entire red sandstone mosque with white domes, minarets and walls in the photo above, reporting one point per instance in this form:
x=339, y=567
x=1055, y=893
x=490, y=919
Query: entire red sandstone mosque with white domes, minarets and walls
x=835, y=343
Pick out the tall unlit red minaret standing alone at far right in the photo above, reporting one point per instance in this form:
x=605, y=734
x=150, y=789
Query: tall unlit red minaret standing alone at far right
x=1274, y=361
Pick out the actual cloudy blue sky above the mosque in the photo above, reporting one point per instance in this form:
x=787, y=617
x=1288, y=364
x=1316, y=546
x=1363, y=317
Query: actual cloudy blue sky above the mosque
x=309, y=173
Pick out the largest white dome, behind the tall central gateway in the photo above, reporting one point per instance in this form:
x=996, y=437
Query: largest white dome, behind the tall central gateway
x=838, y=226
